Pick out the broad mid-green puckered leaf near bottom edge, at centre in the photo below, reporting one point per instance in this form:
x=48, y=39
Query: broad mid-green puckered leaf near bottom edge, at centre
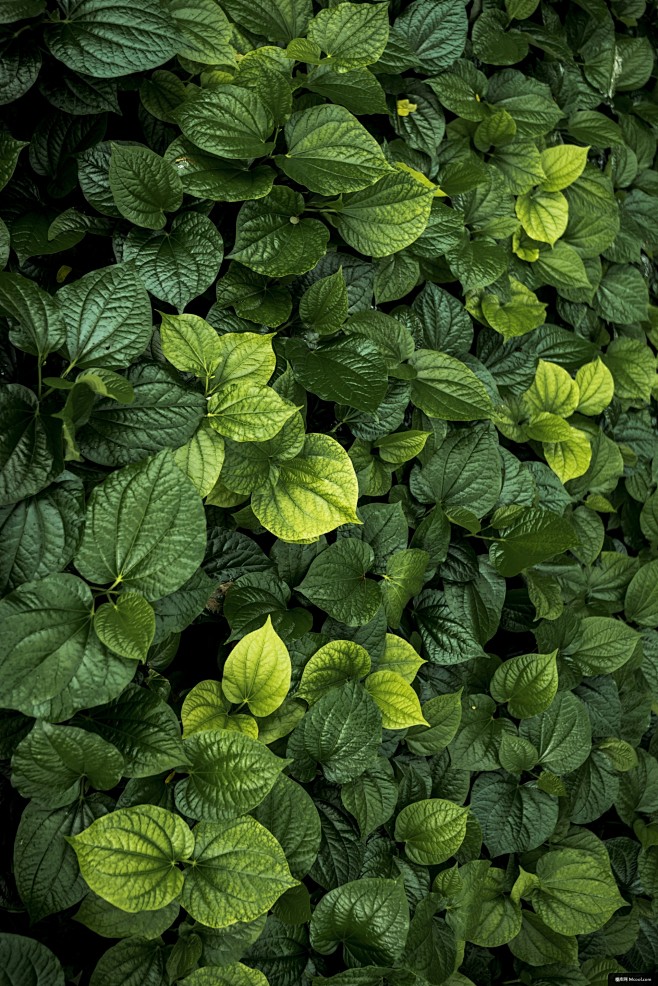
x=370, y=917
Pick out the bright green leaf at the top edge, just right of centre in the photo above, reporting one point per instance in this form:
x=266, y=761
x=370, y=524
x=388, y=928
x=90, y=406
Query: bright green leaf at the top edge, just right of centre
x=351, y=34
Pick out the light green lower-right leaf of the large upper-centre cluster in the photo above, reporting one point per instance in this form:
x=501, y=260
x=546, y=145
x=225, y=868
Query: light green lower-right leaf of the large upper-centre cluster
x=385, y=217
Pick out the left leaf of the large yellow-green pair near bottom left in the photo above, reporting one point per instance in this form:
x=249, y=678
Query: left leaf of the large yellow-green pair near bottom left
x=129, y=856
